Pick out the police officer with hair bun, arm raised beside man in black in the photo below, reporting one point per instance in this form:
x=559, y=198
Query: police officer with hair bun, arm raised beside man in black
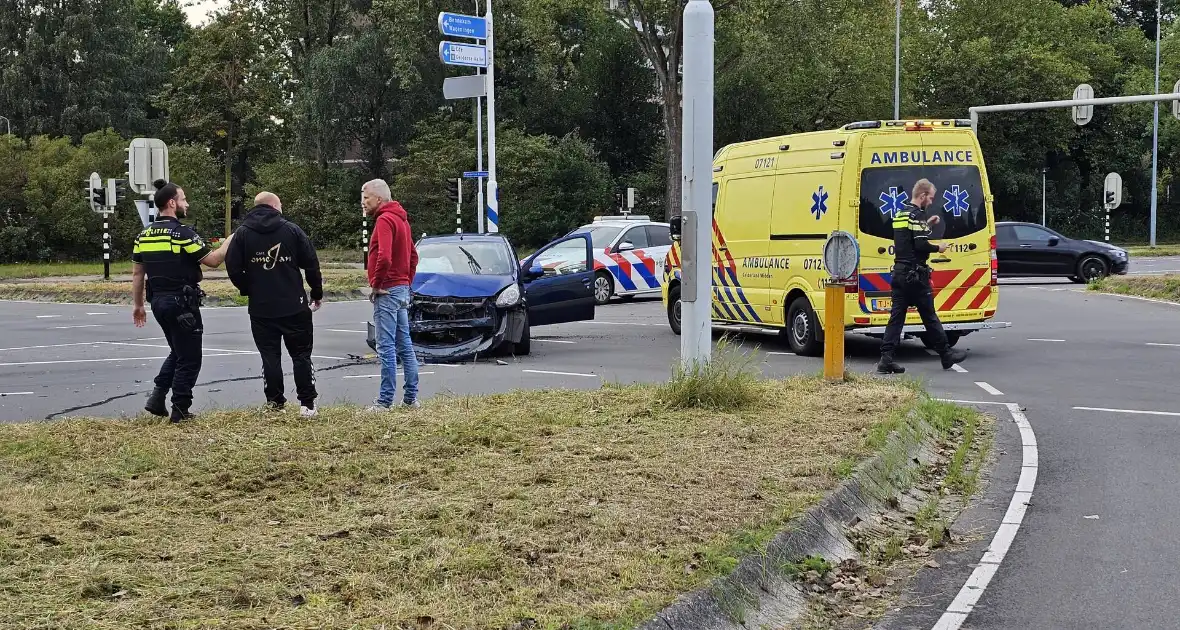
x=171, y=255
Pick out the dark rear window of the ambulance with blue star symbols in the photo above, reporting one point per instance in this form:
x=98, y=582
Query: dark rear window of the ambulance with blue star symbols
x=959, y=200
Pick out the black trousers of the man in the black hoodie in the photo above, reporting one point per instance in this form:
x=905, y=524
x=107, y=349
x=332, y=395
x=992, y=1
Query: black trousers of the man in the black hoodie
x=270, y=336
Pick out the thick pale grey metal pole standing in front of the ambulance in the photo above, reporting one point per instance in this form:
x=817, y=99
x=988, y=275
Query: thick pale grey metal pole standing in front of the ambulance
x=697, y=196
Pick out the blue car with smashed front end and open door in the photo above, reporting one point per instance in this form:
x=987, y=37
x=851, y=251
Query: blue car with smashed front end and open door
x=470, y=297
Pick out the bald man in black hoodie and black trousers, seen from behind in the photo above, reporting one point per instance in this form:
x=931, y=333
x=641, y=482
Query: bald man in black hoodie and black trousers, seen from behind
x=264, y=262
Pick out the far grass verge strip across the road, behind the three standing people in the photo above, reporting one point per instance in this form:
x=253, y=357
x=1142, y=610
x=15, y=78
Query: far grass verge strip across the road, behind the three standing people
x=338, y=285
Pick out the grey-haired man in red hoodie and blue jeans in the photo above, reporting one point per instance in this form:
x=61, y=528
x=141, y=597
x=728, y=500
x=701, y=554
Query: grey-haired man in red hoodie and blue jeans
x=392, y=261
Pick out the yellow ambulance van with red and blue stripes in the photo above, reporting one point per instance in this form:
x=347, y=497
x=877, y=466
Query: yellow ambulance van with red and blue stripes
x=777, y=201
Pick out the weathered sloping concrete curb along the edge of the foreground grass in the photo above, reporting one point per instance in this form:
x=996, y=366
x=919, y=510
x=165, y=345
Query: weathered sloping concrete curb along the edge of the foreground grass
x=759, y=594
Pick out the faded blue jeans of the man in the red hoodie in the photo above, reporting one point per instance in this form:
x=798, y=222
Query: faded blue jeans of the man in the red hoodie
x=391, y=319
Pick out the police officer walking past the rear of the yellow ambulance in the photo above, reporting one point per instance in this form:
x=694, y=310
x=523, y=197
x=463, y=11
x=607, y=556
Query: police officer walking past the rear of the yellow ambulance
x=912, y=280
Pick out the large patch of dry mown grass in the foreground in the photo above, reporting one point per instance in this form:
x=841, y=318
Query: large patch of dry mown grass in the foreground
x=520, y=510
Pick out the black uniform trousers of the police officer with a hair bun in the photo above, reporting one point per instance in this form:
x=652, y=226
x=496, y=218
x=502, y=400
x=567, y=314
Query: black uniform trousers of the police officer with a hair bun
x=180, y=319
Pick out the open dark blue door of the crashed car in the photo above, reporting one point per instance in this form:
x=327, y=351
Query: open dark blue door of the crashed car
x=559, y=293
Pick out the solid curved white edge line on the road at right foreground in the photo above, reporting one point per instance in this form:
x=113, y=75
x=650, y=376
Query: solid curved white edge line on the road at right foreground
x=969, y=595
